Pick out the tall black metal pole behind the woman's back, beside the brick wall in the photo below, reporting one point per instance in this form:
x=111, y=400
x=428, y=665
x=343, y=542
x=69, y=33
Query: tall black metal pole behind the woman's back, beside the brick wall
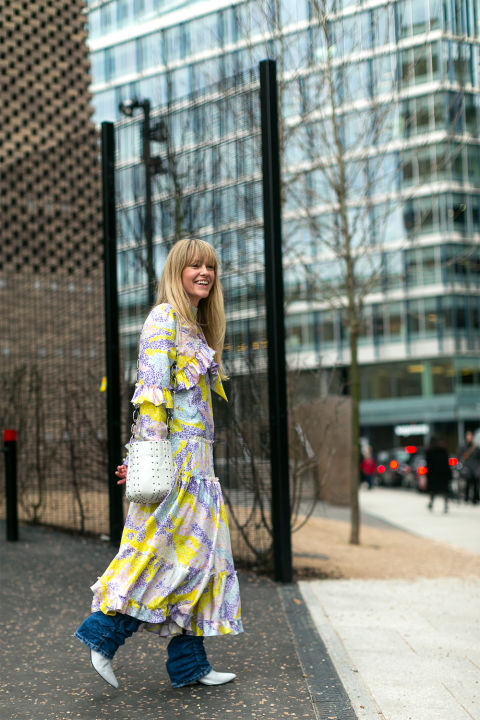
x=111, y=331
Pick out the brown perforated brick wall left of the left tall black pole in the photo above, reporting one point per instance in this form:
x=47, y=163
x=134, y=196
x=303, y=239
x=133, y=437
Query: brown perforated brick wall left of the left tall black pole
x=51, y=276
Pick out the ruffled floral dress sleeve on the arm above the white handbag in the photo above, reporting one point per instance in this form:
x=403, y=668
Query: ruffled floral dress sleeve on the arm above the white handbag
x=153, y=390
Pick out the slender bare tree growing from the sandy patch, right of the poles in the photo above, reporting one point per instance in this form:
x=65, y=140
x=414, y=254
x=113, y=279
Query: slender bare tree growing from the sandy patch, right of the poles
x=338, y=127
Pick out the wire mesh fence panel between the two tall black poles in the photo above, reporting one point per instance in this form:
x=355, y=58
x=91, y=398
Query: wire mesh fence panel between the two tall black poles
x=209, y=185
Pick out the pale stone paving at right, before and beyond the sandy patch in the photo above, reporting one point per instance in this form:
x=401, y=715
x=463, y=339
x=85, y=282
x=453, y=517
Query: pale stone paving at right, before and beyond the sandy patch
x=406, y=650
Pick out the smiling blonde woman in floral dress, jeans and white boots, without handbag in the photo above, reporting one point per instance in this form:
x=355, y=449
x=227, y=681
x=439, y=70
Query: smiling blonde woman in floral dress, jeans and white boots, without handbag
x=174, y=571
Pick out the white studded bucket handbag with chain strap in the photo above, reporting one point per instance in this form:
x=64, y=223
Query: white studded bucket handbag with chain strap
x=151, y=470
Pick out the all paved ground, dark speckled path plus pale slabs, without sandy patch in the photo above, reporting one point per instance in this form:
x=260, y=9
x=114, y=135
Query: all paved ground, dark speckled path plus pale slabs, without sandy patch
x=348, y=650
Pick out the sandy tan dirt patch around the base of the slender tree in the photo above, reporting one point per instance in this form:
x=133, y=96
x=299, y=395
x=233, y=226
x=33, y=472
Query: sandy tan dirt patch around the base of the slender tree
x=322, y=550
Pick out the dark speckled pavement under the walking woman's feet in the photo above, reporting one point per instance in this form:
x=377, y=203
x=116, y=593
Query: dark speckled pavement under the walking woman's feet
x=283, y=669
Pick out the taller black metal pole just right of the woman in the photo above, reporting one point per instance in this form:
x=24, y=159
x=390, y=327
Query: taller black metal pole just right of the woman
x=277, y=378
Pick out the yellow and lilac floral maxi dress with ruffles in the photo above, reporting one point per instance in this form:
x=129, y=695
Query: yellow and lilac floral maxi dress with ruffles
x=174, y=568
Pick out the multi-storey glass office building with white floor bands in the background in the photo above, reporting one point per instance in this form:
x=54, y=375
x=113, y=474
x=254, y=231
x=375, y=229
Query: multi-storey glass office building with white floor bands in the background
x=419, y=348
